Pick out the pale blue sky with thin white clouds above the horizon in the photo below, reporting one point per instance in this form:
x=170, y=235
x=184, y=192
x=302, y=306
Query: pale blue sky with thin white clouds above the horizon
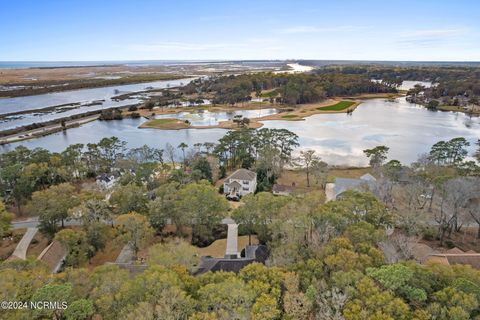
x=50, y=30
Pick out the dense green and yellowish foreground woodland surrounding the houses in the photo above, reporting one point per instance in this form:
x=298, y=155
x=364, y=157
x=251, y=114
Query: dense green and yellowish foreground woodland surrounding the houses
x=327, y=260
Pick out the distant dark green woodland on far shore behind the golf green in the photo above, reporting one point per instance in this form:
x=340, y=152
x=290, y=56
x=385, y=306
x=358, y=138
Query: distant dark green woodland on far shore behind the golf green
x=454, y=85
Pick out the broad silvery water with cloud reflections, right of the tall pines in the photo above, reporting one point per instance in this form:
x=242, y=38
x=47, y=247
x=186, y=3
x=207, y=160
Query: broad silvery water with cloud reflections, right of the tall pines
x=408, y=129
